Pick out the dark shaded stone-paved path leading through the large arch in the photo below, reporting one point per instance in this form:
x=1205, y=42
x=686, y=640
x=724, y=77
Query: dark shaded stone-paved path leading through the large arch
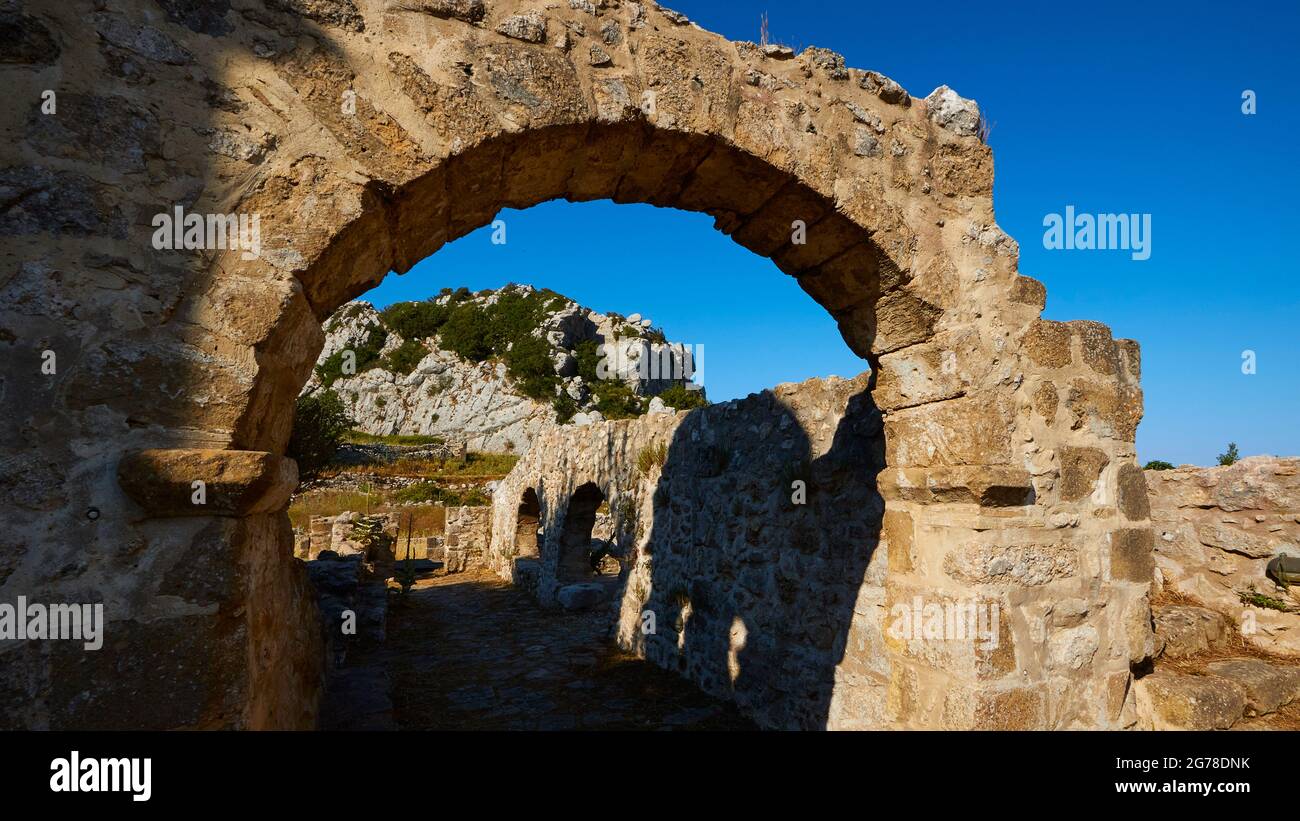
x=473, y=653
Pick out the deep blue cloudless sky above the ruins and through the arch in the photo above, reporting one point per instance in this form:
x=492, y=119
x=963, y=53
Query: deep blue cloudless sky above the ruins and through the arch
x=1111, y=107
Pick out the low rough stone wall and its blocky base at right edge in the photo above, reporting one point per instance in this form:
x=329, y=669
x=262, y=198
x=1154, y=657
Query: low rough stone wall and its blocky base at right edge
x=1217, y=531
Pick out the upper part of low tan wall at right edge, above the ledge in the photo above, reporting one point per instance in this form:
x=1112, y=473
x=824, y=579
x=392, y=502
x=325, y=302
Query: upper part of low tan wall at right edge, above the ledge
x=1219, y=528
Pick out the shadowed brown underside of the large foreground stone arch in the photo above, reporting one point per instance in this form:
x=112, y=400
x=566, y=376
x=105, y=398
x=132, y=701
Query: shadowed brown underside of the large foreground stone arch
x=755, y=202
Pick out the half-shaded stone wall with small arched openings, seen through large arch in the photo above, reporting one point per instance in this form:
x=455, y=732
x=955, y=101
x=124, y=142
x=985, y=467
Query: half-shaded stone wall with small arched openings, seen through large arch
x=757, y=593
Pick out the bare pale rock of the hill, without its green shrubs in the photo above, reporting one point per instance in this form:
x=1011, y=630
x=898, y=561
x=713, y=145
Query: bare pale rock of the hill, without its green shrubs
x=480, y=405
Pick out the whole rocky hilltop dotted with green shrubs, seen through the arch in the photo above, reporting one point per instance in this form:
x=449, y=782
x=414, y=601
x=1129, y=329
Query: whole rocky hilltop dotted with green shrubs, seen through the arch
x=496, y=368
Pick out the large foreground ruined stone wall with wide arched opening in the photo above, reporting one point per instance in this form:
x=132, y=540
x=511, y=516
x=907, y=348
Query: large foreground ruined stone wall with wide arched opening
x=365, y=134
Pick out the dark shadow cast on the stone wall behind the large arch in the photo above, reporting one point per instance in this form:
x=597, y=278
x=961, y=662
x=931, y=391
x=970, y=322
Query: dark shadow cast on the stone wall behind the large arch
x=753, y=594
